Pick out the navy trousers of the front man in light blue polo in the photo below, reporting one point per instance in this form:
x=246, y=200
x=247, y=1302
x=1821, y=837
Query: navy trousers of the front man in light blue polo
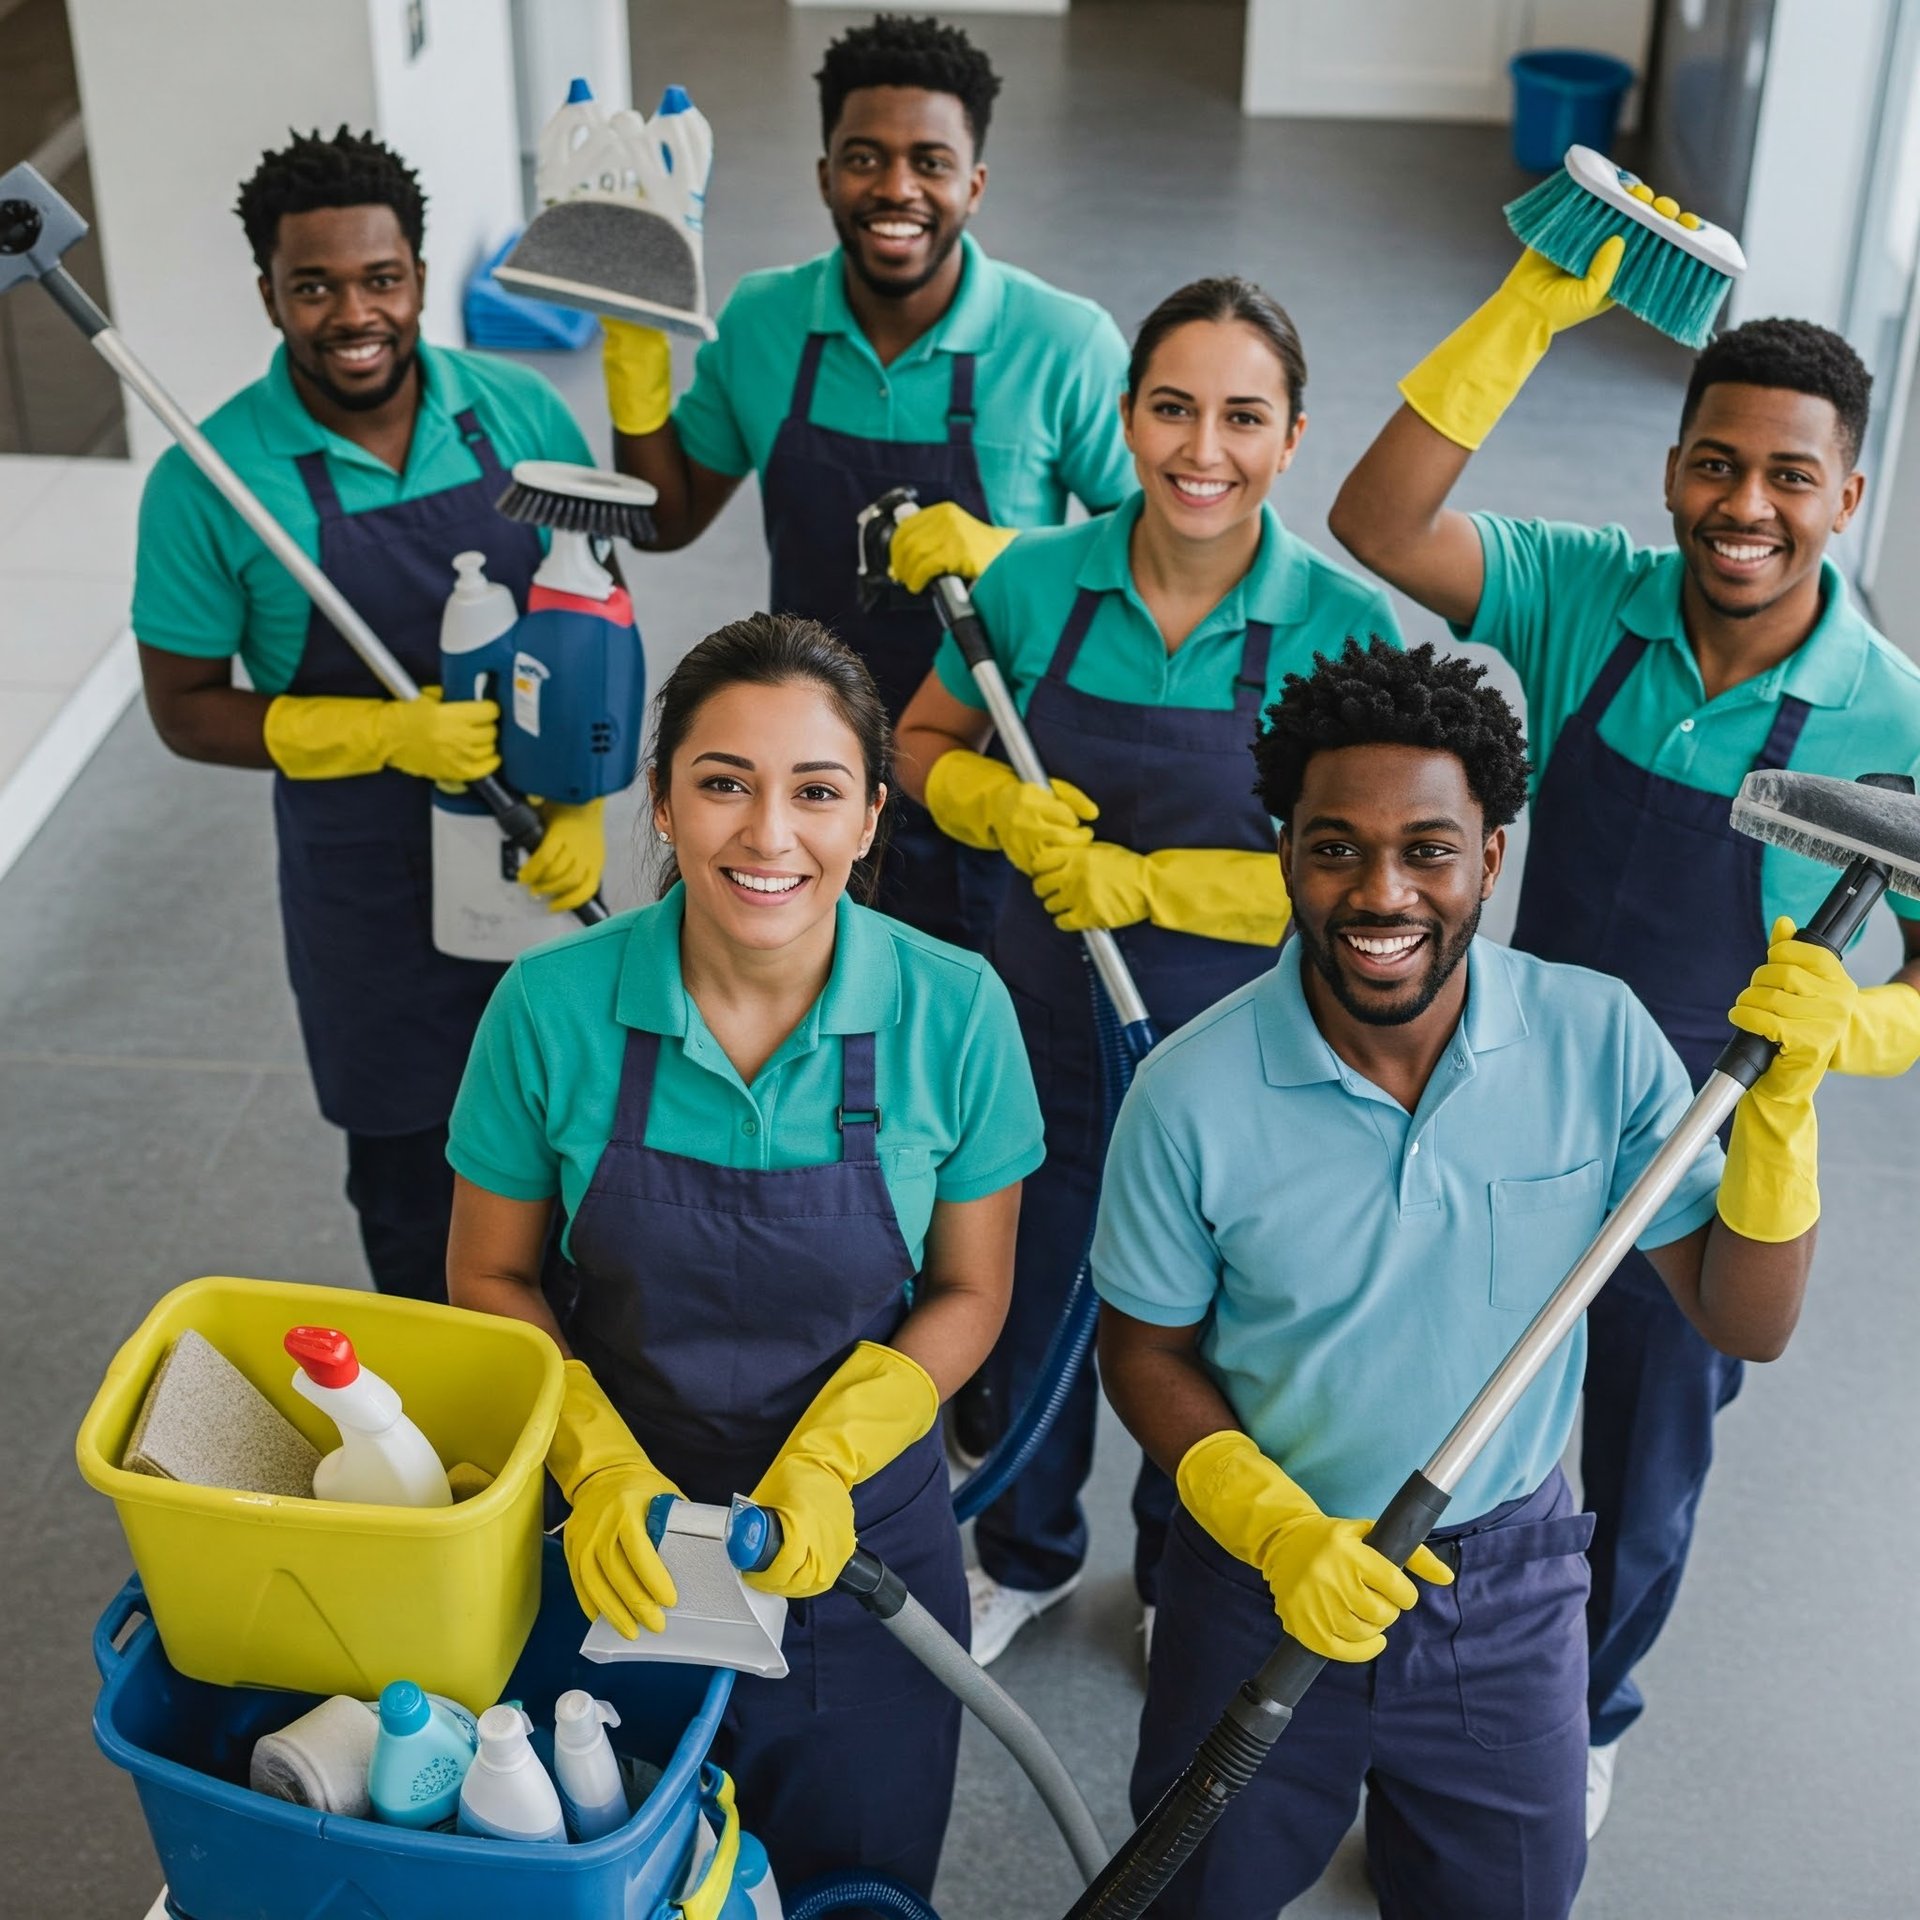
x=1468, y=1733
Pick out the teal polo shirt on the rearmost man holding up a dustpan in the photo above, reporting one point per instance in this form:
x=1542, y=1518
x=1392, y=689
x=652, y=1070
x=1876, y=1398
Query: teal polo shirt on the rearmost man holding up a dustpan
x=1045, y=385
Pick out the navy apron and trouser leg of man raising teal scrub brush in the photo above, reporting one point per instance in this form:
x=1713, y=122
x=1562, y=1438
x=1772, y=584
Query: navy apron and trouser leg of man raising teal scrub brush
x=1644, y=878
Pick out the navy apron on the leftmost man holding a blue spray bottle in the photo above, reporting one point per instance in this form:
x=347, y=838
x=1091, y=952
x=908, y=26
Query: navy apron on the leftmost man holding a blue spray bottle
x=389, y=1020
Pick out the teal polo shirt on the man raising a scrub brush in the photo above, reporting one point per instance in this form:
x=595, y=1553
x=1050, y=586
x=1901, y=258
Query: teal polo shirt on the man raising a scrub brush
x=1558, y=600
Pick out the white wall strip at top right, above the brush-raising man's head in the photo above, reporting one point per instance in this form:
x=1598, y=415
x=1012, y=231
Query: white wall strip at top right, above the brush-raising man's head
x=1810, y=158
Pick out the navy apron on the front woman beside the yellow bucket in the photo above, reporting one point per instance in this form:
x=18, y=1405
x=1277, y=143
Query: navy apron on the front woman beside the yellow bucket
x=713, y=1305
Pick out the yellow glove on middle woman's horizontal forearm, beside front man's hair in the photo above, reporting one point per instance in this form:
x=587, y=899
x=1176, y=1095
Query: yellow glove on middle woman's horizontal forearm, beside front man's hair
x=1224, y=894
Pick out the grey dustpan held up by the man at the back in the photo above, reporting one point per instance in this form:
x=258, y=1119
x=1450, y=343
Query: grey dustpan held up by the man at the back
x=615, y=258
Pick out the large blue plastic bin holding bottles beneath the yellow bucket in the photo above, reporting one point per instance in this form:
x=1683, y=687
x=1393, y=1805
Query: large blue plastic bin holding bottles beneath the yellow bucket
x=231, y=1854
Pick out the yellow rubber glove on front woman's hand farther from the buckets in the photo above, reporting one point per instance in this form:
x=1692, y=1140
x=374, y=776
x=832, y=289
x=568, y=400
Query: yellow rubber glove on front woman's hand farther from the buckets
x=875, y=1408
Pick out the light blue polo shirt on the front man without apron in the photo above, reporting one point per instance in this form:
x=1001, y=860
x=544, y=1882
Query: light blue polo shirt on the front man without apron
x=1360, y=1272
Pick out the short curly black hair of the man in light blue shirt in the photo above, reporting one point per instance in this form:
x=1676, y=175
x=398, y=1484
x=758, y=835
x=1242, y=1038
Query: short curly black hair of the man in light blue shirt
x=1378, y=696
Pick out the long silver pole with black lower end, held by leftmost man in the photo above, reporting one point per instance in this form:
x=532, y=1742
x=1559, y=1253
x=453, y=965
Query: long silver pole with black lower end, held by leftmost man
x=517, y=821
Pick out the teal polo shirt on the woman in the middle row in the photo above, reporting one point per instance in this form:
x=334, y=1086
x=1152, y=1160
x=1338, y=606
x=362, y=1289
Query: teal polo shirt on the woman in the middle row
x=1026, y=596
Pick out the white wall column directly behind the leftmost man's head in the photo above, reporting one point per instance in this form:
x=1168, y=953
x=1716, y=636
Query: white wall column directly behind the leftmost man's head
x=181, y=97
